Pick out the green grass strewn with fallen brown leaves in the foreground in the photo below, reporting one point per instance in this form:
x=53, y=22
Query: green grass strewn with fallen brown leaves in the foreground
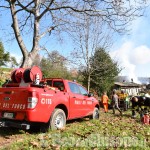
x=109, y=132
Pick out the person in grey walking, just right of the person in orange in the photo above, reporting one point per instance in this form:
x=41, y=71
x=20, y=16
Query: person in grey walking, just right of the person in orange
x=115, y=99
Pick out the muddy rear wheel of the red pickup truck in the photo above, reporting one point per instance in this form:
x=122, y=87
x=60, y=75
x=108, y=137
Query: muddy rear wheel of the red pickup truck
x=58, y=119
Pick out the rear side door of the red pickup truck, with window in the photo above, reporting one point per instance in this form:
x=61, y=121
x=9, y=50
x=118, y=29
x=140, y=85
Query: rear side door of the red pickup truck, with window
x=76, y=106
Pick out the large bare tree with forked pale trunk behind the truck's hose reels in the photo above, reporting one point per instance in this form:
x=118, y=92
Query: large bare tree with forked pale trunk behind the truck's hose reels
x=38, y=18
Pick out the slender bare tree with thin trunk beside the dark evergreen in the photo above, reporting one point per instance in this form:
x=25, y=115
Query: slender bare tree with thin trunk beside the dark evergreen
x=88, y=35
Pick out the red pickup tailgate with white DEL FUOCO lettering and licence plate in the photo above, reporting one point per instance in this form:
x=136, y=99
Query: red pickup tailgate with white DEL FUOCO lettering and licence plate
x=13, y=102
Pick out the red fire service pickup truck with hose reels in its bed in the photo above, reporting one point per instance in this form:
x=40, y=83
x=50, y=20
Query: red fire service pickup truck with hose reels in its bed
x=28, y=101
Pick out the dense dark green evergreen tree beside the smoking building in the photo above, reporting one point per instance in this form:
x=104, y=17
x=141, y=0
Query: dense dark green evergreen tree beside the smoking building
x=104, y=71
